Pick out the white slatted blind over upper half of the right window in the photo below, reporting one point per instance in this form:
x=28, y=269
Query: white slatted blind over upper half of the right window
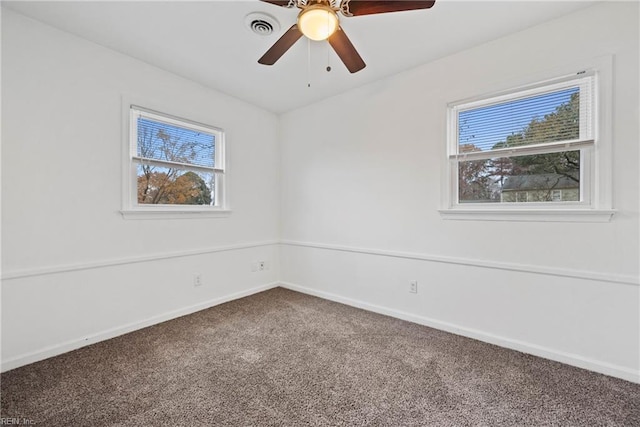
x=559, y=115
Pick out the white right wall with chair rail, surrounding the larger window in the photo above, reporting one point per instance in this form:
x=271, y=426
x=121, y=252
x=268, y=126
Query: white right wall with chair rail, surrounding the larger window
x=361, y=185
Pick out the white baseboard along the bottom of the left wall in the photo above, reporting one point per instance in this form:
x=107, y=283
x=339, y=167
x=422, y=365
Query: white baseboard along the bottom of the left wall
x=58, y=349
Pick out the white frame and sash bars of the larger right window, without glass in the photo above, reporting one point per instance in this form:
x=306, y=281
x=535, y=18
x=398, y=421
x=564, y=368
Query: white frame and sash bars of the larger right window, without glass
x=594, y=144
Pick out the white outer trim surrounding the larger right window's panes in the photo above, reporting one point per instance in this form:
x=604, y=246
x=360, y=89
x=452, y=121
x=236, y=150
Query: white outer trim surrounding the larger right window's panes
x=598, y=207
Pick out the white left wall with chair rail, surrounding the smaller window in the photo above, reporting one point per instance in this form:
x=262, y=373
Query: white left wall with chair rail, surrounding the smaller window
x=74, y=270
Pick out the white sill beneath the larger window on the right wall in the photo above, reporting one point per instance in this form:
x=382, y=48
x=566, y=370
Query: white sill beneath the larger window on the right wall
x=531, y=215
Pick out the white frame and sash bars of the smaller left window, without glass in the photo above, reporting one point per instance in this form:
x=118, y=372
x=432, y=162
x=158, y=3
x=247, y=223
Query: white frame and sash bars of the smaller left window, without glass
x=131, y=209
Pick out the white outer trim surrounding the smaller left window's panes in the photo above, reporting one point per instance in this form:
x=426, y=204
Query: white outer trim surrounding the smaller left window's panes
x=131, y=210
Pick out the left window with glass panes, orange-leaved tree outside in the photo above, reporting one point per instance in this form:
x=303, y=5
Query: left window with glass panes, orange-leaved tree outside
x=175, y=165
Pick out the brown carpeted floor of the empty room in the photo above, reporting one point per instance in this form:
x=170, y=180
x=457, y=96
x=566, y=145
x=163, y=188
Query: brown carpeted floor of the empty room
x=281, y=358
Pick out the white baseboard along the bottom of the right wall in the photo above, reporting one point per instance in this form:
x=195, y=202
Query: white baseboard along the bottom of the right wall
x=524, y=347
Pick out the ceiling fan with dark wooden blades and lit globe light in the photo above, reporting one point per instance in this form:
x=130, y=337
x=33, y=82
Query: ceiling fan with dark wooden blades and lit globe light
x=318, y=20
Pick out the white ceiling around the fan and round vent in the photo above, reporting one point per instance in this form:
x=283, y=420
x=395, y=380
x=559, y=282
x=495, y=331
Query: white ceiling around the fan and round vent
x=208, y=41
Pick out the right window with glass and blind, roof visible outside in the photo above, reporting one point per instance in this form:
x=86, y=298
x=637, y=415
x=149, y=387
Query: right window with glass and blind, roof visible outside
x=526, y=150
